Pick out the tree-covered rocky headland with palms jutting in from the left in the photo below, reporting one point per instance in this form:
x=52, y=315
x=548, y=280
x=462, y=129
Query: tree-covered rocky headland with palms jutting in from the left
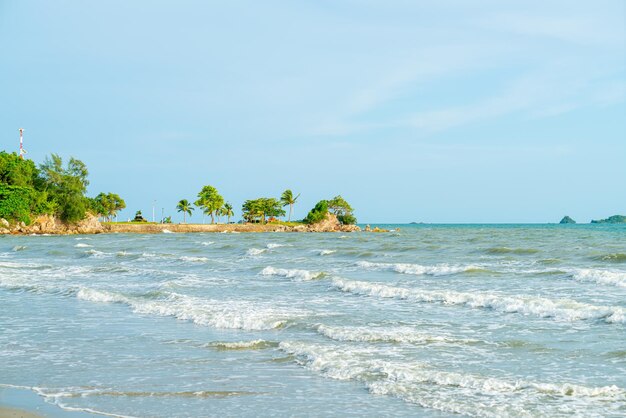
x=51, y=199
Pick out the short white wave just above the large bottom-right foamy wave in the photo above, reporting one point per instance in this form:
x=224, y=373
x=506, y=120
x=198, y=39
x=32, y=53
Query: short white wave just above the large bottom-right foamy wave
x=387, y=335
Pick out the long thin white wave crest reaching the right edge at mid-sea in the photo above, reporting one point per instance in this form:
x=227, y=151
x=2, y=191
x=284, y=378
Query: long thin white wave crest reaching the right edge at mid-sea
x=561, y=309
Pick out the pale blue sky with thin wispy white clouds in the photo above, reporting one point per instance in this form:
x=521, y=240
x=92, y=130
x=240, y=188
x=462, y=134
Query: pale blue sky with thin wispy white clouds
x=430, y=111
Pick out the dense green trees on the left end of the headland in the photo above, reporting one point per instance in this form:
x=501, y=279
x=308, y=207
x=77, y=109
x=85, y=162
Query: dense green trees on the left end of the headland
x=52, y=188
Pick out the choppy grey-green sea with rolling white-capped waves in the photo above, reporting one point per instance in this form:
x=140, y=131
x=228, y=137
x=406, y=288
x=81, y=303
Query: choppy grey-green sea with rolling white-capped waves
x=422, y=321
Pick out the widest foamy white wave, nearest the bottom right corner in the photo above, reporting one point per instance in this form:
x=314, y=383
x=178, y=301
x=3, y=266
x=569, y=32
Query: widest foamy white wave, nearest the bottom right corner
x=447, y=391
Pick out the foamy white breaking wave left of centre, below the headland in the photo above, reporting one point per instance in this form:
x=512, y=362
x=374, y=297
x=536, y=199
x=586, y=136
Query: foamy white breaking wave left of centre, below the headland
x=209, y=312
